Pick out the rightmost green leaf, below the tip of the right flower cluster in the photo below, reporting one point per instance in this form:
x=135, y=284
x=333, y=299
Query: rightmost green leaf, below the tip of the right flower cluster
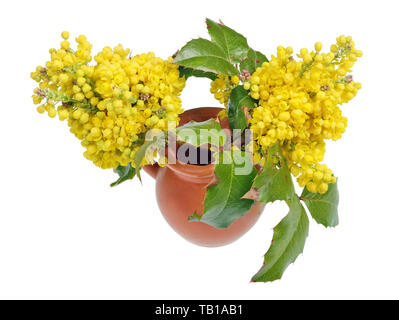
x=323, y=207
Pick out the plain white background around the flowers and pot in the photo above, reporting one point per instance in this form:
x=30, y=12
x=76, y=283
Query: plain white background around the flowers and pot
x=64, y=233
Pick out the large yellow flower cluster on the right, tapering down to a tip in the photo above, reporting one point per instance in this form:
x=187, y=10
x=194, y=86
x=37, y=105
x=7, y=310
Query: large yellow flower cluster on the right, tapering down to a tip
x=298, y=106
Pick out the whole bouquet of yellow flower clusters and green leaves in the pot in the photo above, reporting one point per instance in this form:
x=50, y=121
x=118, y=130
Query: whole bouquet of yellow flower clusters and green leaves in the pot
x=278, y=113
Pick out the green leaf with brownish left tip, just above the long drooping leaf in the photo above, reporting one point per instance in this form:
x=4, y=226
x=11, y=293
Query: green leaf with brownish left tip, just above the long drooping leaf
x=274, y=182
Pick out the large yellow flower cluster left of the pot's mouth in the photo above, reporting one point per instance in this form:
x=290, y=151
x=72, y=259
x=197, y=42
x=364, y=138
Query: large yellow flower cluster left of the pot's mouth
x=111, y=105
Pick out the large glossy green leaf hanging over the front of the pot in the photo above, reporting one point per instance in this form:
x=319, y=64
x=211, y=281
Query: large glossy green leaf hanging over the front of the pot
x=223, y=204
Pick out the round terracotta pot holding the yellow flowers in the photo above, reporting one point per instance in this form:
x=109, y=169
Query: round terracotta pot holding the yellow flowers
x=181, y=188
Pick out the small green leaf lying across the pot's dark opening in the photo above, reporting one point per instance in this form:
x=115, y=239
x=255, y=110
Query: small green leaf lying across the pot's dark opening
x=199, y=133
